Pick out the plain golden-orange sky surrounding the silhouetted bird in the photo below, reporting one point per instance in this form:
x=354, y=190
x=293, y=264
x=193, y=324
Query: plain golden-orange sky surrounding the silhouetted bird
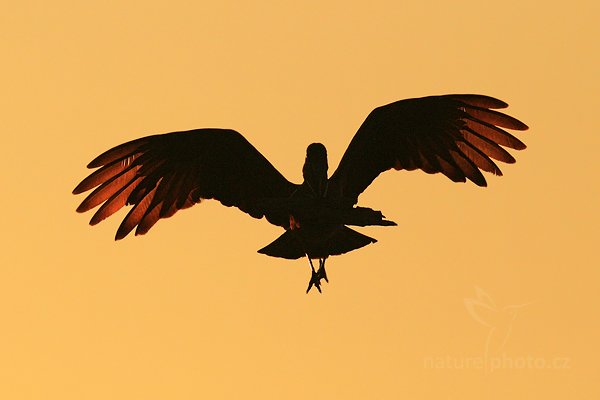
x=191, y=310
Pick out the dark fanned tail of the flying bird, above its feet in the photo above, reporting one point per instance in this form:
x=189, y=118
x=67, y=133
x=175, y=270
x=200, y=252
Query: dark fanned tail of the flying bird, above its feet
x=290, y=244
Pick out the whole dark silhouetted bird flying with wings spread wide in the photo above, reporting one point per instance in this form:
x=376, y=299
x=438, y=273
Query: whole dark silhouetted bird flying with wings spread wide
x=457, y=135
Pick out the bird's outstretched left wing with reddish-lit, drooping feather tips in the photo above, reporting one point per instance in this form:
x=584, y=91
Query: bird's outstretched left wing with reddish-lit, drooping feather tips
x=162, y=174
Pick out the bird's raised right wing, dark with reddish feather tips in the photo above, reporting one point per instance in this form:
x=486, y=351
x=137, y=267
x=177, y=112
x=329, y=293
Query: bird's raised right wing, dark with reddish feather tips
x=457, y=135
